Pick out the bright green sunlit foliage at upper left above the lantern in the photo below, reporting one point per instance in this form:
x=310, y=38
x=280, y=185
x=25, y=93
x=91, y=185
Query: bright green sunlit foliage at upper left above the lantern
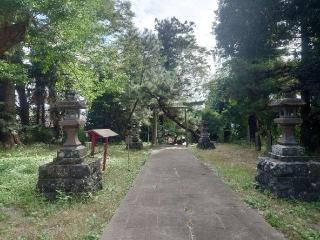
x=68, y=44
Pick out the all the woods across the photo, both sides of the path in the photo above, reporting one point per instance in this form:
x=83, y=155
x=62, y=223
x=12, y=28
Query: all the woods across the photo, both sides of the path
x=264, y=49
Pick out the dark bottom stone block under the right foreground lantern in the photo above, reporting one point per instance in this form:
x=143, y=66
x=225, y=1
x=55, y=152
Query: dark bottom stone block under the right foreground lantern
x=299, y=180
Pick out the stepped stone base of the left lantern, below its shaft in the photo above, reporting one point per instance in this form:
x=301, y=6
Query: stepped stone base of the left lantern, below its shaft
x=70, y=173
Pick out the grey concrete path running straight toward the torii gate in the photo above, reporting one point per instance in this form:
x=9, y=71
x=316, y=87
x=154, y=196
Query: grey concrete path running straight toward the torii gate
x=175, y=197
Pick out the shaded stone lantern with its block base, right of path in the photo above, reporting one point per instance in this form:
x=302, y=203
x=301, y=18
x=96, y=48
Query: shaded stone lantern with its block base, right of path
x=286, y=171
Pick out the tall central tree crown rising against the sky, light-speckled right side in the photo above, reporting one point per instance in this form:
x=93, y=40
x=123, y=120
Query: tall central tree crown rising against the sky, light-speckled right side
x=182, y=55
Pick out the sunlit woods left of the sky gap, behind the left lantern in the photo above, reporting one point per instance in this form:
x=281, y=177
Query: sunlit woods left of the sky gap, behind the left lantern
x=50, y=47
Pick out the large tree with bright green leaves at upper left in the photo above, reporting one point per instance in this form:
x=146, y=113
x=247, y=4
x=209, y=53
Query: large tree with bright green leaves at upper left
x=64, y=38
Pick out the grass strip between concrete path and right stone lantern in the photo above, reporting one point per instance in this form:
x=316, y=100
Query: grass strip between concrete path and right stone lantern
x=236, y=165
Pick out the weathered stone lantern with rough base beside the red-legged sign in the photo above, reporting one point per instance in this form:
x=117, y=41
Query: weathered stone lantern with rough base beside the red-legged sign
x=71, y=171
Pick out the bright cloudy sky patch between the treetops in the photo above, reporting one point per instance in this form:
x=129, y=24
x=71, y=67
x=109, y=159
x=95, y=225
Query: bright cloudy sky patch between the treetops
x=201, y=12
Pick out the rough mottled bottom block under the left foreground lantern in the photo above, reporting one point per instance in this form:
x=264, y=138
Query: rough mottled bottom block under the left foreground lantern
x=72, y=179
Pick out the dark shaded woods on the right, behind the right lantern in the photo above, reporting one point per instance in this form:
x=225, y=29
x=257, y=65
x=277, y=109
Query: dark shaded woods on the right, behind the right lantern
x=267, y=49
